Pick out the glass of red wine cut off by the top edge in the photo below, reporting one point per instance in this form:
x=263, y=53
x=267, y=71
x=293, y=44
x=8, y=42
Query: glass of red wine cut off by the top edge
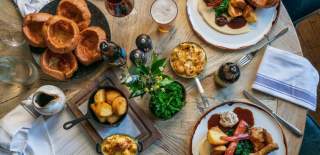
x=119, y=8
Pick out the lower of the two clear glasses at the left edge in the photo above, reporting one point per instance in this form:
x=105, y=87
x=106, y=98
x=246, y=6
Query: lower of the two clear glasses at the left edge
x=17, y=71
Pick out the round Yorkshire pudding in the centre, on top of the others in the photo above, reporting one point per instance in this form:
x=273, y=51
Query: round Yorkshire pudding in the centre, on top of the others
x=61, y=34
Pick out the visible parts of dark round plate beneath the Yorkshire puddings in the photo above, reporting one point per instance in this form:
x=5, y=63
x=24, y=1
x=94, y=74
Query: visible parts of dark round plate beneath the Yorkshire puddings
x=97, y=19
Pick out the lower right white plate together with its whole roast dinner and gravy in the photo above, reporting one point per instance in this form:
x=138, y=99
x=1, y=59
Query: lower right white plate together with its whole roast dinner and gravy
x=238, y=128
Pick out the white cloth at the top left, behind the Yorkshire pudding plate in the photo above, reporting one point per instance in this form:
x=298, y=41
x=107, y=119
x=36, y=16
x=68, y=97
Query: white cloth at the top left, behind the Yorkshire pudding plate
x=30, y=6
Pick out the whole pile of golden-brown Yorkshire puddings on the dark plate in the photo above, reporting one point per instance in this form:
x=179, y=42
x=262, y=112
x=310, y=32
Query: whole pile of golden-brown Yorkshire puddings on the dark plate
x=67, y=36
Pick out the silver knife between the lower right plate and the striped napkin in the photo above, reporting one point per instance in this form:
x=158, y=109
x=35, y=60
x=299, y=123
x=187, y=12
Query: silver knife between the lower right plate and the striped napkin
x=288, y=125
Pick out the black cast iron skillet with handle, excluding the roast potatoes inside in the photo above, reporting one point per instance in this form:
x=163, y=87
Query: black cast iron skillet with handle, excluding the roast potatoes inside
x=91, y=115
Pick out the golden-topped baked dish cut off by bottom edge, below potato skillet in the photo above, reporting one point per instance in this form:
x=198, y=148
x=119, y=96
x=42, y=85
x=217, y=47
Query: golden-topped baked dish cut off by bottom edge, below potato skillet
x=119, y=145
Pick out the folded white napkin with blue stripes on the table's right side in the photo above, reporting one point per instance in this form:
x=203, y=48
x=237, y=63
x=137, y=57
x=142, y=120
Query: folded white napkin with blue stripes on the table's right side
x=289, y=77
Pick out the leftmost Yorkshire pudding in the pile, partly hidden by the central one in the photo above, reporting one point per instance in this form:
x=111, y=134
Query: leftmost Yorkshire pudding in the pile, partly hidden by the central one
x=32, y=26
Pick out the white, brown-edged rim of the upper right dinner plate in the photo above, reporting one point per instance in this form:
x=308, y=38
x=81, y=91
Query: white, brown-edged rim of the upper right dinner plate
x=188, y=9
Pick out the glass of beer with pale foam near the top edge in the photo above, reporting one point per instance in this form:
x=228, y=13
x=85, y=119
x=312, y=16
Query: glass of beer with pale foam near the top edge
x=164, y=12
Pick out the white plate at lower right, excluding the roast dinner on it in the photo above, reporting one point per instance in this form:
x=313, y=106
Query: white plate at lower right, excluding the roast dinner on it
x=261, y=119
